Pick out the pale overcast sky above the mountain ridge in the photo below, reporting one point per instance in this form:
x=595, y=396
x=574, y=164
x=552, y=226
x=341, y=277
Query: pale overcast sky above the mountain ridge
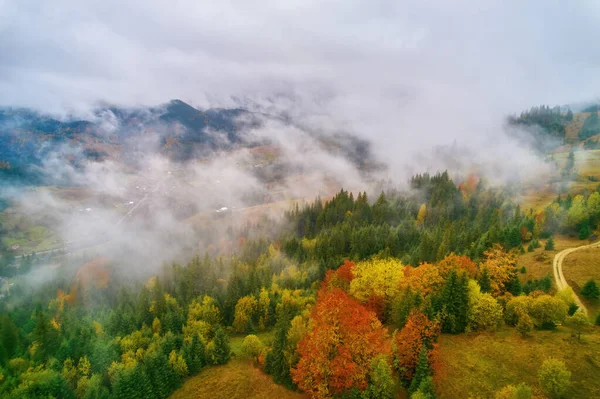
x=392, y=70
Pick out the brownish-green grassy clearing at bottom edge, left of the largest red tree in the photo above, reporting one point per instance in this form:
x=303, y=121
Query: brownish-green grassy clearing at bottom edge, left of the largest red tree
x=236, y=379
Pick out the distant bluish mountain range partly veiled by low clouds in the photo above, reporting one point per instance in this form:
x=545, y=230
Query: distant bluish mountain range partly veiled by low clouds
x=176, y=130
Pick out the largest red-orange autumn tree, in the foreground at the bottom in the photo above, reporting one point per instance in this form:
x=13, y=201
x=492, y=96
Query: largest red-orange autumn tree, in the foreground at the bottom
x=336, y=354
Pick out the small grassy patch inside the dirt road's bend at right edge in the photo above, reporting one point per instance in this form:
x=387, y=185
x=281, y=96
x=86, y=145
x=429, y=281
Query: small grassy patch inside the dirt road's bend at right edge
x=580, y=267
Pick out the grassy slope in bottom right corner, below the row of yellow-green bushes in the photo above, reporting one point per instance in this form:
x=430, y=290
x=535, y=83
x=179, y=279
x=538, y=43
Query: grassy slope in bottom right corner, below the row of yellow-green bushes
x=476, y=366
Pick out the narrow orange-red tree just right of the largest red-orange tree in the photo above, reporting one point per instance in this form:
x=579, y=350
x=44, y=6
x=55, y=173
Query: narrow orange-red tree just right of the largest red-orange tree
x=418, y=331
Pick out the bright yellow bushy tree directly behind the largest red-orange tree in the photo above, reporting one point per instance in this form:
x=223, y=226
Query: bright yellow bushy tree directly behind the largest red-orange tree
x=378, y=278
